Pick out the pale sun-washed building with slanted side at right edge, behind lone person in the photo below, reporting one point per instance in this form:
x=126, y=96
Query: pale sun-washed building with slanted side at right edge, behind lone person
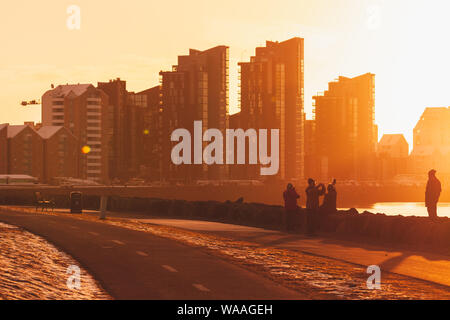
x=432, y=141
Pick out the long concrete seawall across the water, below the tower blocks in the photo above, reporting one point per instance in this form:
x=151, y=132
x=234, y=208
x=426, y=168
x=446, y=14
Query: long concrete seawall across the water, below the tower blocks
x=348, y=196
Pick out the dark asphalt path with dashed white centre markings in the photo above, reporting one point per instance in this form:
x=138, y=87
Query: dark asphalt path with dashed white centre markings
x=137, y=265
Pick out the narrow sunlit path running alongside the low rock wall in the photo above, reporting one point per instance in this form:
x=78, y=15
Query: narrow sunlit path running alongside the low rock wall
x=426, y=266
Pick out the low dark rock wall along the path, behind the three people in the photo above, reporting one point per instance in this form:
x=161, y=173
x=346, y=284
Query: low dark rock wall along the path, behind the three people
x=418, y=233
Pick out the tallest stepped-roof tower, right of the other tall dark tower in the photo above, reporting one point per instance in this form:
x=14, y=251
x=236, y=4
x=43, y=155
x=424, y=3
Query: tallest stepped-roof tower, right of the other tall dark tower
x=272, y=97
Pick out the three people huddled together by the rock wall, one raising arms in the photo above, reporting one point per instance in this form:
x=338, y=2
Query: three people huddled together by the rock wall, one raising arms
x=314, y=211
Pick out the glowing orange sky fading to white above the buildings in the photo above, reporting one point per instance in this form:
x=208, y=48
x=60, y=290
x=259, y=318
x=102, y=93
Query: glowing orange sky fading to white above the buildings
x=404, y=42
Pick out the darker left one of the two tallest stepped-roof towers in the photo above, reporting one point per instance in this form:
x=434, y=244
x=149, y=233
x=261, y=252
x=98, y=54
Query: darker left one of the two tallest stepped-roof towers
x=195, y=89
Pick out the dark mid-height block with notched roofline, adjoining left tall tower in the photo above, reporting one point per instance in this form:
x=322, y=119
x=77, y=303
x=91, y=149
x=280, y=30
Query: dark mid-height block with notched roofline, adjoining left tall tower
x=135, y=119
